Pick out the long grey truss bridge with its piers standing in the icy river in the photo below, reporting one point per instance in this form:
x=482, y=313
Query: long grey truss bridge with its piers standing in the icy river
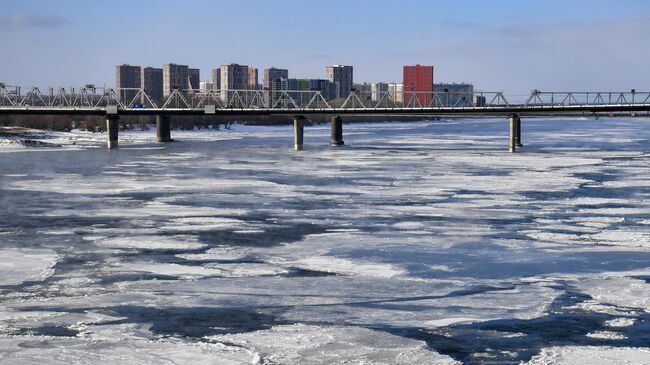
x=113, y=104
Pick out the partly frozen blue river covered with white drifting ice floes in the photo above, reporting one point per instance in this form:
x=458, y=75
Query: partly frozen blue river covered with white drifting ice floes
x=416, y=243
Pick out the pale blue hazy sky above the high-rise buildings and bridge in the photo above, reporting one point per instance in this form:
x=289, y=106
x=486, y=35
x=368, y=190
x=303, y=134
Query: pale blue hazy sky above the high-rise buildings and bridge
x=509, y=45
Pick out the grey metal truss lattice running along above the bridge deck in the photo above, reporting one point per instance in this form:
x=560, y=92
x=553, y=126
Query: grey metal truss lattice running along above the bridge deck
x=91, y=97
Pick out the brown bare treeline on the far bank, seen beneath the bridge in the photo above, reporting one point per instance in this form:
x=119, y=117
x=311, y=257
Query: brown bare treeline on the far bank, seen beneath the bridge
x=98, y=124
